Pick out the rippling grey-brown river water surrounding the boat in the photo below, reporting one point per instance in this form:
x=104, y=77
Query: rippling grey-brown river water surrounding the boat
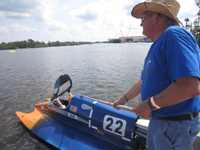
x=27, y=77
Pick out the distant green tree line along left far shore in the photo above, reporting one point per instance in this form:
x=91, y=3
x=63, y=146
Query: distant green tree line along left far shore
x=34, y=44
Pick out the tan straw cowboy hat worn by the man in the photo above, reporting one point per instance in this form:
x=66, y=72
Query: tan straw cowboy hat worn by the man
x=169, y=8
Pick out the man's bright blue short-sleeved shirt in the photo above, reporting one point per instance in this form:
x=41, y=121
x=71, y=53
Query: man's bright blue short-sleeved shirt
x=175, y=54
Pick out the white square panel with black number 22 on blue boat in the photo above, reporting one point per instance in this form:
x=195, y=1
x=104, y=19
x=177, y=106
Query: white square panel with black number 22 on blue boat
x=114, y=125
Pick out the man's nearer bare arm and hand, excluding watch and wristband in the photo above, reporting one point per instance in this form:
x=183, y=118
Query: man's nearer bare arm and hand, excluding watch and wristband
x=180, y=90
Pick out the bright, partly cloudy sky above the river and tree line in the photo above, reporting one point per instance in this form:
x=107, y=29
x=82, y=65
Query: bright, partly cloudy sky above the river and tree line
x=74, y=20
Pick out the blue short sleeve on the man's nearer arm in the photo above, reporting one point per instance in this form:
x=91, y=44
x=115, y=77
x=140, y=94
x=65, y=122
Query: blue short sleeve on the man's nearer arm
x=182, y=55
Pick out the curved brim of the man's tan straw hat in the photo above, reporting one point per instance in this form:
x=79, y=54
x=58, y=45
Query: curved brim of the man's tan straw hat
x=139, y=10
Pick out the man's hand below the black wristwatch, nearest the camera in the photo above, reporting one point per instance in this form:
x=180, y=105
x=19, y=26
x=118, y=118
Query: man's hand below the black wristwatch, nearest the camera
x=143, y=110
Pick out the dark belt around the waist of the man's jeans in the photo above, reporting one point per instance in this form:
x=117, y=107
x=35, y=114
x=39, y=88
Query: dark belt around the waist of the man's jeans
x=181, y=117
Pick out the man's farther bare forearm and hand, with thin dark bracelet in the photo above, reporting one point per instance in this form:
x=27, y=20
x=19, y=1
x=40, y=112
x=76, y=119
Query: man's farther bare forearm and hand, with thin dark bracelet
x=133, y=92
